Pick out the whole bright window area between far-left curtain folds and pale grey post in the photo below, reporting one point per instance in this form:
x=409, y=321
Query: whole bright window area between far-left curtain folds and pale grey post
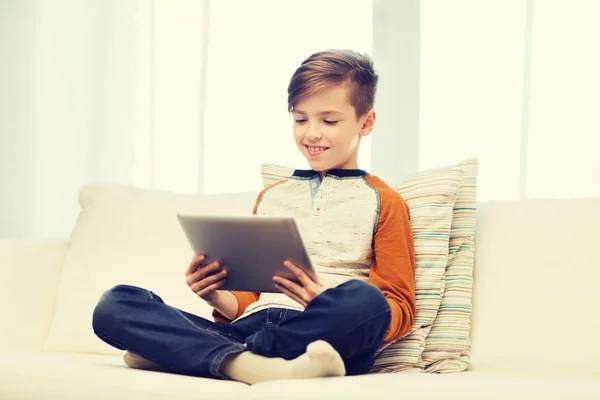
x=211, y=80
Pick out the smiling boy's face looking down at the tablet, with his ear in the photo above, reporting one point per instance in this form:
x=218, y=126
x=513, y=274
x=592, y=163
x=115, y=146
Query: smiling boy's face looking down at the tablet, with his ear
x=328, y=131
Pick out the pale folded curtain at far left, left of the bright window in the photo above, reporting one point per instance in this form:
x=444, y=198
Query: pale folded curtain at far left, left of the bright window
x=65, y=106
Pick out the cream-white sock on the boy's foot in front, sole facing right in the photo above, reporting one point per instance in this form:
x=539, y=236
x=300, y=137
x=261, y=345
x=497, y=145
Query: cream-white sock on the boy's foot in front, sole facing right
x=320, y=360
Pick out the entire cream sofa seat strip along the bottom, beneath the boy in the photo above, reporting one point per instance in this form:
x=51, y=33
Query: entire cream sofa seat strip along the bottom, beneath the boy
x=60, y=376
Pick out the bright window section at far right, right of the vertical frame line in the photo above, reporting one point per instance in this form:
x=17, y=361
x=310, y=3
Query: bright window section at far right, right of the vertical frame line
x=564, y=124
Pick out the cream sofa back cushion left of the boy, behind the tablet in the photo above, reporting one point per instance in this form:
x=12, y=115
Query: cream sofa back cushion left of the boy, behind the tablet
x=129, y=236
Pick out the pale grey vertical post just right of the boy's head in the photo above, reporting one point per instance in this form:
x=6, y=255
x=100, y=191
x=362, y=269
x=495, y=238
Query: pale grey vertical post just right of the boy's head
x=396, y=55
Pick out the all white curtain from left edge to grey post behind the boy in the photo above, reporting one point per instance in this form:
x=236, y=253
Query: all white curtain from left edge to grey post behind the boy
x=188, y=96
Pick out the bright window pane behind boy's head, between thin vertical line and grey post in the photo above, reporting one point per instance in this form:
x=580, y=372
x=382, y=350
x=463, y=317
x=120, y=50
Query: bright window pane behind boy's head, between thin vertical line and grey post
x=254, y=48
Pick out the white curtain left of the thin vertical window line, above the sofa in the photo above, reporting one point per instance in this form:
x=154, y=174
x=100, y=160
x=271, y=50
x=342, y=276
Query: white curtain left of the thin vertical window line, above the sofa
x=107, y=90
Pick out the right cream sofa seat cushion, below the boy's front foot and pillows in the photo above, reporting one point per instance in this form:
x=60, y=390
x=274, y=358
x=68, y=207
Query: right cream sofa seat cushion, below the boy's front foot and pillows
x=422, y=386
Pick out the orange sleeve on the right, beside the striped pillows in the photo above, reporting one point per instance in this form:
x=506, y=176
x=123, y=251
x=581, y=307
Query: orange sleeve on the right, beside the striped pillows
x=393, y=268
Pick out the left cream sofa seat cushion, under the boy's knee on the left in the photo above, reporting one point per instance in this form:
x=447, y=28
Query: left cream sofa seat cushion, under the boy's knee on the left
x=63, y=376
